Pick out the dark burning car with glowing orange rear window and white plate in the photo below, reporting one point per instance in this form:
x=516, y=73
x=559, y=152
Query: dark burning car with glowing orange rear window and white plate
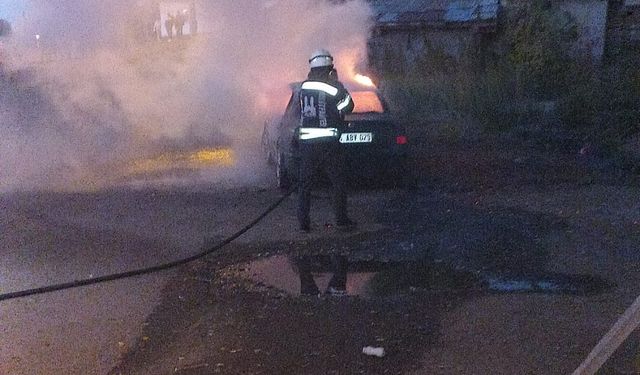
x=376, y=145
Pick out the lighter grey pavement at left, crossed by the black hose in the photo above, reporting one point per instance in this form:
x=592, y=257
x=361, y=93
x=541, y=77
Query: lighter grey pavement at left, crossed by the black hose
x=56, y=237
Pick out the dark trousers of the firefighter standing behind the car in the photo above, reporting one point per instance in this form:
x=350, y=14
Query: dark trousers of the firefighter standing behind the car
x=316, y=158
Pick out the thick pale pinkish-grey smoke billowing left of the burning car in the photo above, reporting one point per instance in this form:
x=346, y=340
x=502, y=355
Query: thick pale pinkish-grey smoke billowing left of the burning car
x=82, y=92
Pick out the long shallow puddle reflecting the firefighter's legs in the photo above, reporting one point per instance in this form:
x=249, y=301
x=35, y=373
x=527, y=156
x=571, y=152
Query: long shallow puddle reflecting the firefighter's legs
x=313, y=275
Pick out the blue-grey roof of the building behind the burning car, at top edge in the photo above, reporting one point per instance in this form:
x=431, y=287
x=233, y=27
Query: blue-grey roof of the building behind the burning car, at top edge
x=434, y=12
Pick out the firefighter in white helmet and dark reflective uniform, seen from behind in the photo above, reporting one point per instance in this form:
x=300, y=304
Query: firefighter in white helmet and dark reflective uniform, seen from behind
x=323, y=101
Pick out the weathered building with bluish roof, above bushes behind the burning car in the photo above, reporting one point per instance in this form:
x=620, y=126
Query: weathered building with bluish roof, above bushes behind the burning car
x=405, y=31
